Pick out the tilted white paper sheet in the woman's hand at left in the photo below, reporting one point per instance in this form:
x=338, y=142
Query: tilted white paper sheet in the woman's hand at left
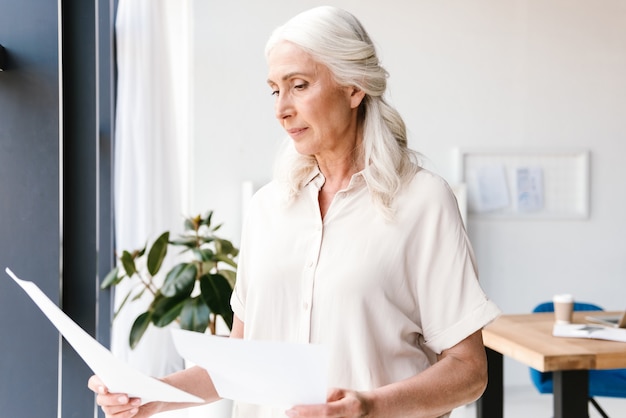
x=116, y=375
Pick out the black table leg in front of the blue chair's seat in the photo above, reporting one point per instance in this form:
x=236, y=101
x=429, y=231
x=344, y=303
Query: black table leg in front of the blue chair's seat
x=571, y=394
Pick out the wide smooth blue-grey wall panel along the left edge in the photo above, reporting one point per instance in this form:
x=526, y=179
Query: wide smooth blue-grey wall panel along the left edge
x=29, y=205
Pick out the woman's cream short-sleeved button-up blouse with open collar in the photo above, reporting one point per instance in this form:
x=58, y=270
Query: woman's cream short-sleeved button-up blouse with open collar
x=384, y=296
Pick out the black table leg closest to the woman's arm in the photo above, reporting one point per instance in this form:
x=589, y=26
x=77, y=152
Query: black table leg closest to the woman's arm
x=491, y=404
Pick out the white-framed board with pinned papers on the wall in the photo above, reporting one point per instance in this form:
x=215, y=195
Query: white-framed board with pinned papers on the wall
x=525, y=184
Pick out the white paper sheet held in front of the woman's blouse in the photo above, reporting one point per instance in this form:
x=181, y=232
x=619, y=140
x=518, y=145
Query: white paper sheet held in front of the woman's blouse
x=259, y=372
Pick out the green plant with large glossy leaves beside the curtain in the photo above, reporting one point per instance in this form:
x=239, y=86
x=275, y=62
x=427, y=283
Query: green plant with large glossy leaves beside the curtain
x=194, y=292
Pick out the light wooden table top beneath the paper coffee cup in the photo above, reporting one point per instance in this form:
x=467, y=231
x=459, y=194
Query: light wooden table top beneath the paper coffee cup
x=528, y=339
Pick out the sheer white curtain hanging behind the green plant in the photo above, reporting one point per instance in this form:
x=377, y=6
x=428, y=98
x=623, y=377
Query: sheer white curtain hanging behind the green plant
x=150, y=155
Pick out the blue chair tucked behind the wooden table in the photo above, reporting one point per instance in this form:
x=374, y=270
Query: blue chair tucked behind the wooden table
x=610, y=383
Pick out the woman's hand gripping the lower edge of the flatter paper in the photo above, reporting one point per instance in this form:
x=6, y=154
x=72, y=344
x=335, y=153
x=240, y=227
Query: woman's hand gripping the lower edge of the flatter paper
x=340, y=403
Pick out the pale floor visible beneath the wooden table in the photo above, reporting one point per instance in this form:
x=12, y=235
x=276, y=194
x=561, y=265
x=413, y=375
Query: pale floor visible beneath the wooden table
x=526, y=402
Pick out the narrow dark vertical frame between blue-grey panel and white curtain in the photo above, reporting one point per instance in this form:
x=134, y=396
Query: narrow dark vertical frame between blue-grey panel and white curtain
x=87, y=74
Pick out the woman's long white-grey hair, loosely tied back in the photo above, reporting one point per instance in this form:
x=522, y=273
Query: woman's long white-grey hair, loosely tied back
x=336, y=39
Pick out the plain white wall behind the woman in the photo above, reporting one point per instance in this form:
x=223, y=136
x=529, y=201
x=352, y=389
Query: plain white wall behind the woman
x=483, y=73
